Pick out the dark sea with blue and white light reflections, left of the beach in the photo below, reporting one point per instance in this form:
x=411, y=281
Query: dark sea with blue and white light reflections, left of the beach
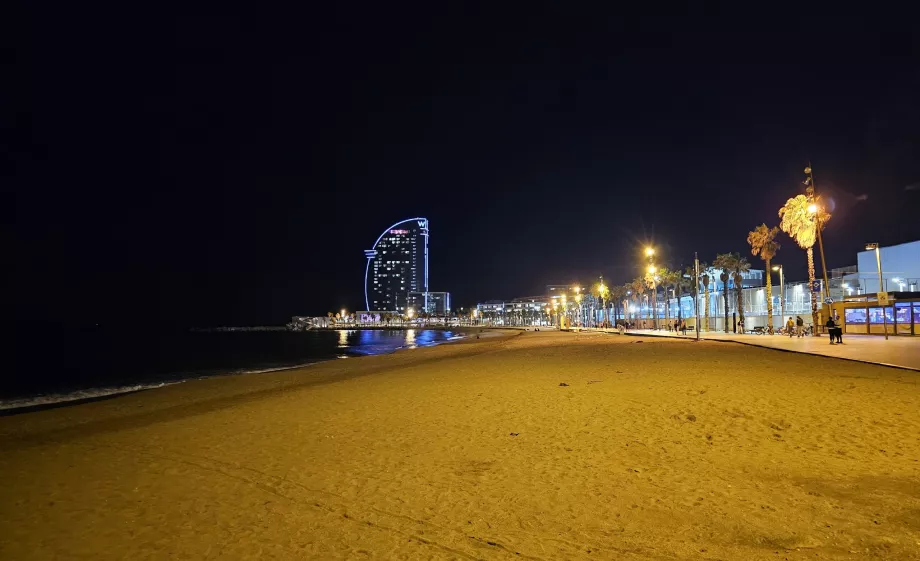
x=67, y=366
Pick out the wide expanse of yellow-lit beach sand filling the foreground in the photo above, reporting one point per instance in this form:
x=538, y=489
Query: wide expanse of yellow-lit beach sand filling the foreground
x=654, y=450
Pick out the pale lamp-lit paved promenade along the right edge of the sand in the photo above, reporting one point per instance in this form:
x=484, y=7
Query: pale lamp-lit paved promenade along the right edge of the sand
x=902, y=352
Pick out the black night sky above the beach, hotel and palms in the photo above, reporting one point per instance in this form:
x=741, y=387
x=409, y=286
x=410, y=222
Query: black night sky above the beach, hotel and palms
x=231, y=169
